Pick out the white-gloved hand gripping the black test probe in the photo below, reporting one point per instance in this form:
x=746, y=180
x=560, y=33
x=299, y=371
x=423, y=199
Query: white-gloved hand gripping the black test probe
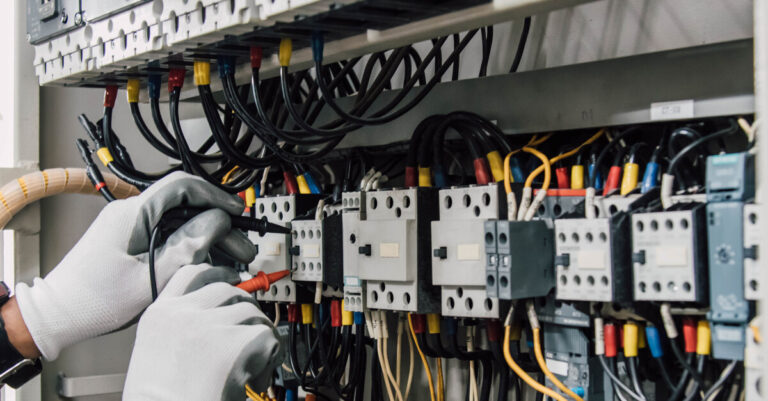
x=102, y=284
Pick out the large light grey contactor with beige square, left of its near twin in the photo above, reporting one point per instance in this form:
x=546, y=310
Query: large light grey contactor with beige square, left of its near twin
x=393, y=246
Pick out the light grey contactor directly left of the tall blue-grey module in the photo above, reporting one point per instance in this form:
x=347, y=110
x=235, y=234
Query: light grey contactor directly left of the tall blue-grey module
x=669, y=256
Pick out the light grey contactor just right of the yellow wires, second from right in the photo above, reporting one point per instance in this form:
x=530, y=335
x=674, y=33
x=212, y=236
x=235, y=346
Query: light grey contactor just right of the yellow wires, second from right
x=593, y=261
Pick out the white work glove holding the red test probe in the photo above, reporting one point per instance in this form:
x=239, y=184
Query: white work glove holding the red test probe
x=202, y=342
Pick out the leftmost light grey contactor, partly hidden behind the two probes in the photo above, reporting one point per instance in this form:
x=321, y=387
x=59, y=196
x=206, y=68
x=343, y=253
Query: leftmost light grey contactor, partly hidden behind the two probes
x=273, y=250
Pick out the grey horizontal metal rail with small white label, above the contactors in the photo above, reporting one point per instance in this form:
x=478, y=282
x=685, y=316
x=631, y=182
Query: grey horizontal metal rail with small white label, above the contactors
x=718, y=78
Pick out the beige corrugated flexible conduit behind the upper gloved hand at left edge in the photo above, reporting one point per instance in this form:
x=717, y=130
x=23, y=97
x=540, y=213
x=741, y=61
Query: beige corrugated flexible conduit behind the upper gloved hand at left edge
x=29, y=188
